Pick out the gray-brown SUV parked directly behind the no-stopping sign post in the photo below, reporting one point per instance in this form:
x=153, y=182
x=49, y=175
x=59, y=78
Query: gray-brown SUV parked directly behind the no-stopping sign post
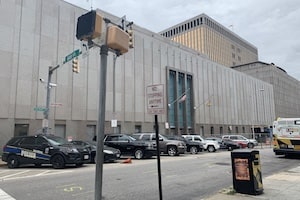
x=167, y=146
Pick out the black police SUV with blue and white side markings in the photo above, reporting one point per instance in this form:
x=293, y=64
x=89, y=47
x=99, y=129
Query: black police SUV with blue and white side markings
x=43, y=149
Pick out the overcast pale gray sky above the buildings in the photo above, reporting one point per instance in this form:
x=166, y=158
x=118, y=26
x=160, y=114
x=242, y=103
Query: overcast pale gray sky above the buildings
x=273, y=26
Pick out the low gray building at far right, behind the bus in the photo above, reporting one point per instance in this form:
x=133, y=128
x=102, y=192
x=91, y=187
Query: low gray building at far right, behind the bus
x=286, y=88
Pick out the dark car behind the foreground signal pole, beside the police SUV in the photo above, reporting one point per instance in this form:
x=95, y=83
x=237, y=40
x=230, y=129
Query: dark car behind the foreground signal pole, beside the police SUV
x=110, y=154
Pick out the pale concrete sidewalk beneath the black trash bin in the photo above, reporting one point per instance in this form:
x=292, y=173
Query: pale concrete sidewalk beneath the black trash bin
x=283, y=186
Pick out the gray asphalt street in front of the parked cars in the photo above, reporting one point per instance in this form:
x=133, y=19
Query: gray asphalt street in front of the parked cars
x=186, y=177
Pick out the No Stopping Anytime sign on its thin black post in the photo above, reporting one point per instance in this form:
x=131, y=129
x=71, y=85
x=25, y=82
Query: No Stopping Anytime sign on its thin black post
x=155, y=105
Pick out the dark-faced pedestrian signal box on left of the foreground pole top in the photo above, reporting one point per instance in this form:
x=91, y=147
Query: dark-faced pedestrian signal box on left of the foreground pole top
x=89, y=26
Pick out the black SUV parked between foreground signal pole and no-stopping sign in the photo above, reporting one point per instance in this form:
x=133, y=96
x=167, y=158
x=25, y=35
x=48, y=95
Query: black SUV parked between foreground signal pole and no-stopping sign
x=130, y=146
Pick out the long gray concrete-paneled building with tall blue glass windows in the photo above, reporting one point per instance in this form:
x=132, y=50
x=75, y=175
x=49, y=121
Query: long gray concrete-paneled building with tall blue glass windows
x=36, y=34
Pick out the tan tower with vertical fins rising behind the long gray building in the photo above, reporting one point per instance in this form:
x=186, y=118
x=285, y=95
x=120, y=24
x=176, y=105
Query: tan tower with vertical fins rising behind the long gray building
x=209, y=37
